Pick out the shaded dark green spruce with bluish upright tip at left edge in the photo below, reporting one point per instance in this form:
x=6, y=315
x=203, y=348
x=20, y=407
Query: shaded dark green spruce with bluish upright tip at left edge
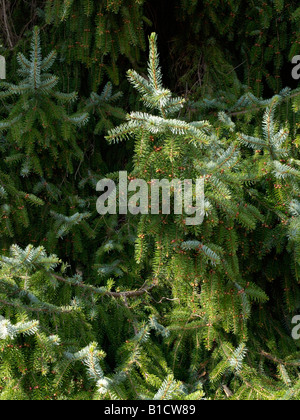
x=42, y=154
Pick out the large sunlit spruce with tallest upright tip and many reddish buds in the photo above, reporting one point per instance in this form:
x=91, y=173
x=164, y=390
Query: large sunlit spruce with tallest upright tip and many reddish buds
x=214, y=272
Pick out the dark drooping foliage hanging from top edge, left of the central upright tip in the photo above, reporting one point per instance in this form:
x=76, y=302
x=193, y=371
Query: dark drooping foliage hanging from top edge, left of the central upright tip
x=100, y=33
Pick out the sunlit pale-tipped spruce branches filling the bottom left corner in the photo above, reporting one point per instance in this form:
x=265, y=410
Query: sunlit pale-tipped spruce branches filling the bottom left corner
x=36, y=364
